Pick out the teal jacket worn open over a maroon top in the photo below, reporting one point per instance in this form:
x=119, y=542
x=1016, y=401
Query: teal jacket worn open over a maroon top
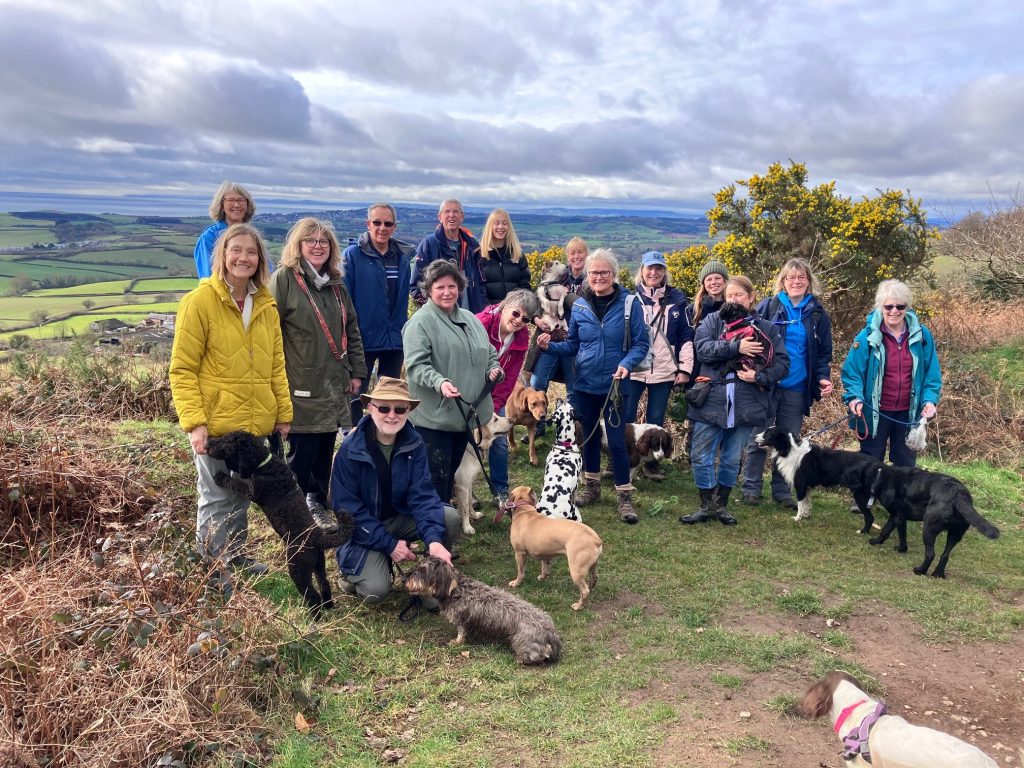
x=866, y=365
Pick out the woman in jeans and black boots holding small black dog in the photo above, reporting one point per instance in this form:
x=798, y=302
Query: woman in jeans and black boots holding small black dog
x=739, y=402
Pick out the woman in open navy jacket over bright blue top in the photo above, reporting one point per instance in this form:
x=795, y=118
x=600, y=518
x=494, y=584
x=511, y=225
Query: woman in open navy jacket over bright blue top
x=806, y=331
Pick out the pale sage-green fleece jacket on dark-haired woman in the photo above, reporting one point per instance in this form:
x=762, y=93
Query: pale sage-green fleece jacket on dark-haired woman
x=439, y=347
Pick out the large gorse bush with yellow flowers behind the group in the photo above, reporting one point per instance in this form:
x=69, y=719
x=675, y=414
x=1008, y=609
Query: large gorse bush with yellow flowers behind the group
x=852, y=246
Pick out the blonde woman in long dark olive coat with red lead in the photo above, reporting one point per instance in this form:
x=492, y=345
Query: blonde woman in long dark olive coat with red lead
x=323, y=355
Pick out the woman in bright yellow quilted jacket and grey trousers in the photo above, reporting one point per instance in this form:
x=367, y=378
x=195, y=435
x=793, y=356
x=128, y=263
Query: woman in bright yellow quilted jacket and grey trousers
x=228, y=374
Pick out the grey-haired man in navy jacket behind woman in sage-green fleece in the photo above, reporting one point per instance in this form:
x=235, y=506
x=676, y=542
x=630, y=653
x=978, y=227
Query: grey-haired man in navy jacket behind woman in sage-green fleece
x=456, y=245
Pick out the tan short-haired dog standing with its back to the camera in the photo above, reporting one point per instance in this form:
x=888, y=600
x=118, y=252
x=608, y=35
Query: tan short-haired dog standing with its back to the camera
x=544, y=538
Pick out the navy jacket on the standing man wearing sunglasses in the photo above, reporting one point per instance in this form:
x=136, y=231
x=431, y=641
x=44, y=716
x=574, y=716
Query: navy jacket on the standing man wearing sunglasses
x=380, y=325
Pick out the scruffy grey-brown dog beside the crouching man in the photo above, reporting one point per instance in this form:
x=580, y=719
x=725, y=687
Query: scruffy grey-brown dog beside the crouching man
x=486, y=613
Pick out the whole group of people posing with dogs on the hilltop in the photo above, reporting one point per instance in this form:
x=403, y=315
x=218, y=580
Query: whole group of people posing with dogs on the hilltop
x=290, y=353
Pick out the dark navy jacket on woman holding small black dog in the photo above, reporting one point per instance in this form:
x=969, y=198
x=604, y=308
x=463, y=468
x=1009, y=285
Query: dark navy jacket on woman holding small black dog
x=733, y=402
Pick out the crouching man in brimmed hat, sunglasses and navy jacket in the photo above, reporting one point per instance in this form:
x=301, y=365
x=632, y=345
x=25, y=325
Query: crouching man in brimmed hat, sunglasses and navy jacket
x=381, y=477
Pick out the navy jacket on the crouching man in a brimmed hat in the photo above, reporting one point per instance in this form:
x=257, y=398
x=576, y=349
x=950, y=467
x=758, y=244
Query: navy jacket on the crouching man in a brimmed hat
x=354, y=488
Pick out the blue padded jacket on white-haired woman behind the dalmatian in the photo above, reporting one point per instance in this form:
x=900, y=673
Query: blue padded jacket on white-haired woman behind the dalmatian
x=598, y=346
